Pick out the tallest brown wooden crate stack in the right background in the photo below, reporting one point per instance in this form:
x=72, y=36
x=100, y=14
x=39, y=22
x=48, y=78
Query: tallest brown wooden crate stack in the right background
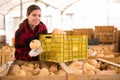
x=105, y=34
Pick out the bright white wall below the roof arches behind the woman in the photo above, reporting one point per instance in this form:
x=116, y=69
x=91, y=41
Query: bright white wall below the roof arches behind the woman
x=83, y=14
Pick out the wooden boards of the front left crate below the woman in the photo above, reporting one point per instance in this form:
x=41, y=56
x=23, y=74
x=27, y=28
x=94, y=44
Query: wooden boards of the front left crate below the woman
x=40, y=77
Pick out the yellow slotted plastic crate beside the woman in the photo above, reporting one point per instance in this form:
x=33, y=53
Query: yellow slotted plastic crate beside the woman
x=62, y=48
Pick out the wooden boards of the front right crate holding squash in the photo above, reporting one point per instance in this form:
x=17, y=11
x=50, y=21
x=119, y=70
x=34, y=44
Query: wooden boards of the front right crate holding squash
x=71, y=73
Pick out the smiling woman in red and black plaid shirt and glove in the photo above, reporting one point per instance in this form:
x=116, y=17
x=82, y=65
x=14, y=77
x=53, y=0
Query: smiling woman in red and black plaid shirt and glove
x=31, y=28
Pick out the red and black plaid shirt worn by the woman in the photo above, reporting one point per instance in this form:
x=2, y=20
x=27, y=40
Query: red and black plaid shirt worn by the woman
x=23, y=36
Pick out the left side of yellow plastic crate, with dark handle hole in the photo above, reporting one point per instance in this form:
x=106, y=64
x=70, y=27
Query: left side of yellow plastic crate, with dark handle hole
x=55, y=49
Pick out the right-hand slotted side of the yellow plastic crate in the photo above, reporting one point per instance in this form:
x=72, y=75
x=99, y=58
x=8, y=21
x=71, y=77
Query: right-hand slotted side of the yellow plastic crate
x=78, y=47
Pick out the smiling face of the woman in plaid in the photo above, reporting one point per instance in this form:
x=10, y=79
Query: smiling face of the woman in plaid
x=34, y=18
